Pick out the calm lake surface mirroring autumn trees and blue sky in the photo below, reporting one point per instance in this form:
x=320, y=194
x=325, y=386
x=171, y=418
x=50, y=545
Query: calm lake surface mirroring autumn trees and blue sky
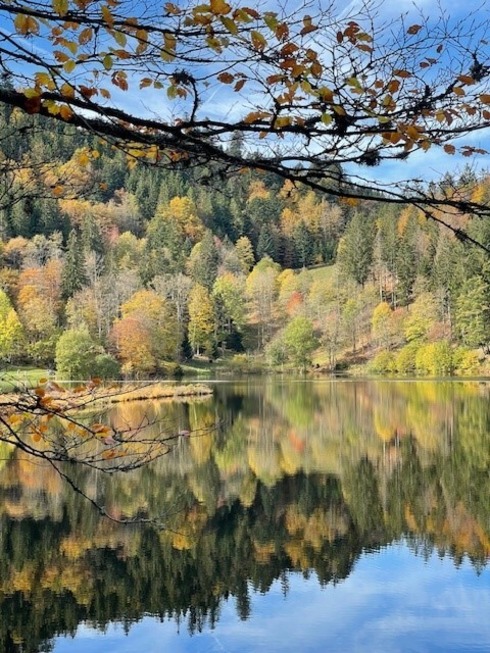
x=318, y=516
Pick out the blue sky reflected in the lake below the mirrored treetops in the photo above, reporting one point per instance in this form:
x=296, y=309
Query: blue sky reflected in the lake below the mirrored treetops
x=392, y=602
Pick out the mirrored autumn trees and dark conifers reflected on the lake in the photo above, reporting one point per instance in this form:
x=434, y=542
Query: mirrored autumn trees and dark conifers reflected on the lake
x=302, y=478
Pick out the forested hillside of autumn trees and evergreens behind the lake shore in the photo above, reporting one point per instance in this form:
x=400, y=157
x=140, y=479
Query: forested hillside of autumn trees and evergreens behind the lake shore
x=111, y=267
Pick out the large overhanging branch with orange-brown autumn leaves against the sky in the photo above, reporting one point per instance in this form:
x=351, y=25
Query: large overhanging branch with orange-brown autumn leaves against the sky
x=308, y=93
